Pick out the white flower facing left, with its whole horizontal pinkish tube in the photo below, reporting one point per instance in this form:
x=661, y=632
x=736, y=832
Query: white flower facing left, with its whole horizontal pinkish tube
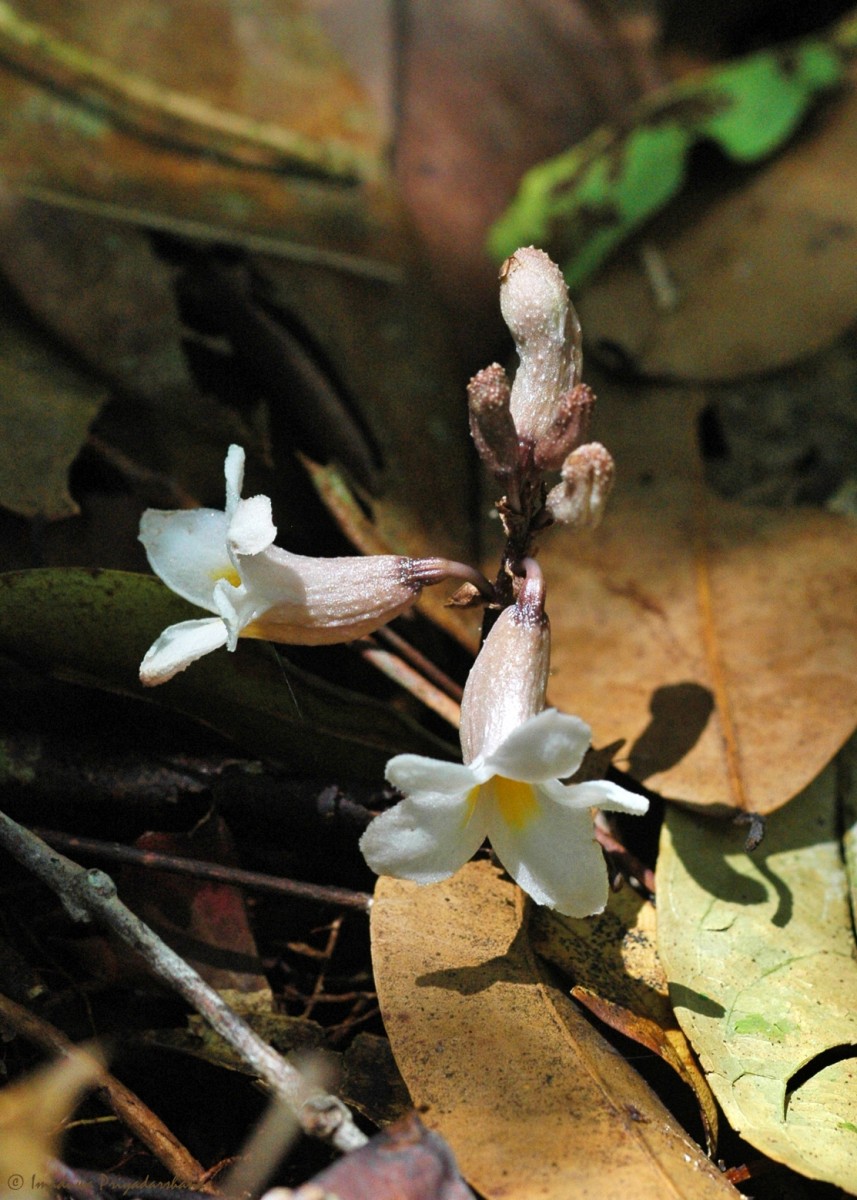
x=226, y=562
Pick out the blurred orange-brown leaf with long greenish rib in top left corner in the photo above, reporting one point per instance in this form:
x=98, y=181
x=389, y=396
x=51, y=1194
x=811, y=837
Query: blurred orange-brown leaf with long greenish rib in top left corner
x=195, y=118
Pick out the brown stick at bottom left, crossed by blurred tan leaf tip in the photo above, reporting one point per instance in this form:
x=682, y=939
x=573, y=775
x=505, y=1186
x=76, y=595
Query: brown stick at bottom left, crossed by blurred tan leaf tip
x=129, y=1108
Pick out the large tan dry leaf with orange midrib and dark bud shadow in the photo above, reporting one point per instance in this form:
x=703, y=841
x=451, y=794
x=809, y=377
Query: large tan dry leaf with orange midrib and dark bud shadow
x=721, y=641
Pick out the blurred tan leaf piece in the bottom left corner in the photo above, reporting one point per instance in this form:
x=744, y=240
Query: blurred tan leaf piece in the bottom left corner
x=32, y=1115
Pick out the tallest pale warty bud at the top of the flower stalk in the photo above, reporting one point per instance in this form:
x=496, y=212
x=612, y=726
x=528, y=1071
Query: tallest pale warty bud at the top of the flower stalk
x=537, y=309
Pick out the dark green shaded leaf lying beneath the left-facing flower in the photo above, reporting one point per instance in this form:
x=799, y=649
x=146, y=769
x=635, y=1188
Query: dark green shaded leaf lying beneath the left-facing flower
x=93, y=627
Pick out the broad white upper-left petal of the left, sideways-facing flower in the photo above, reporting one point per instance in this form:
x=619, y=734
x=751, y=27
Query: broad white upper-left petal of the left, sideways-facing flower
x=188, y=550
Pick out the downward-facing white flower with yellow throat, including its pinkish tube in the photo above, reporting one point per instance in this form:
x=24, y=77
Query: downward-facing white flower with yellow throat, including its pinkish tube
x=517, y=752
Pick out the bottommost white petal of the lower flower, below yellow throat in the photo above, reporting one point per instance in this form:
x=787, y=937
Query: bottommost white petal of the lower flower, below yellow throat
x=554, y=857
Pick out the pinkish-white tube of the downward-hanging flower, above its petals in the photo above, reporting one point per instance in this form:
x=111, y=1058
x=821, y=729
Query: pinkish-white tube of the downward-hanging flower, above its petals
x=508, y=682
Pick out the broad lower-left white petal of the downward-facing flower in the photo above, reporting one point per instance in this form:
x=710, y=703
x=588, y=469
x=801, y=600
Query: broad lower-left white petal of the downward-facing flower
x=425, y=838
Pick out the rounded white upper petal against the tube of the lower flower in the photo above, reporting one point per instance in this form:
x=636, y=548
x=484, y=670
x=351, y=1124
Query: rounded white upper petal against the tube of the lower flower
x=549, y=746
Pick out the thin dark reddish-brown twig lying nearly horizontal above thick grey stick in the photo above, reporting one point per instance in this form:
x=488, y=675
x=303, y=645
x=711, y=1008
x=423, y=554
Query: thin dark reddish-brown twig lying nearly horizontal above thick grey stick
x=175, y=865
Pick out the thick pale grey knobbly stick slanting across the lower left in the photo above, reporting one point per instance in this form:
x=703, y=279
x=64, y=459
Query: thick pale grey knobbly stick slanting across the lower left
x=91, y=895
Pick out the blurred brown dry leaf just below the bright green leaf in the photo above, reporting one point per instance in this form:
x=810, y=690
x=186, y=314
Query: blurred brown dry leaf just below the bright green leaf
x=758, y=274
